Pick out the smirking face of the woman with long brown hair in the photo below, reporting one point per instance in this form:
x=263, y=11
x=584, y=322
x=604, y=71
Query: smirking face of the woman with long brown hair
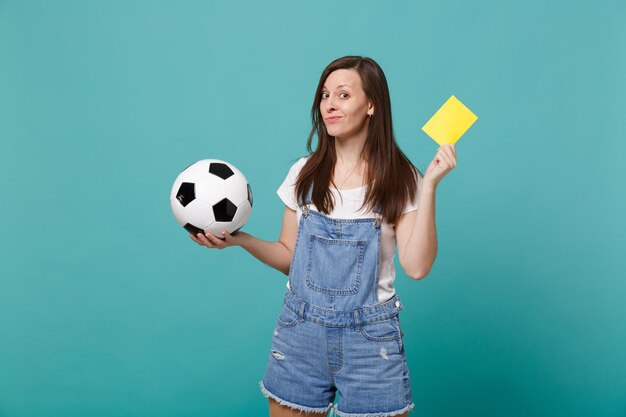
x=343, y=104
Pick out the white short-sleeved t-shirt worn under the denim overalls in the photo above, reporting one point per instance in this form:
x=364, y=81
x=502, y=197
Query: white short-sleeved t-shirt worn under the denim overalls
x=346, y=208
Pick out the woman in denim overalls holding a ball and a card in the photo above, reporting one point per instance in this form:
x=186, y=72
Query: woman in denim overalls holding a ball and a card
x=349, y=204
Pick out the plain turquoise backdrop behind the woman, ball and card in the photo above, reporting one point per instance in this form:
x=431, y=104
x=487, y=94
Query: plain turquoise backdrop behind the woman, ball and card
x=107, y=308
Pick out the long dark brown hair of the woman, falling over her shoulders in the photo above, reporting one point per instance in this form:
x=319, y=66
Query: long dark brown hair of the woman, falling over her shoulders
x=391, y=176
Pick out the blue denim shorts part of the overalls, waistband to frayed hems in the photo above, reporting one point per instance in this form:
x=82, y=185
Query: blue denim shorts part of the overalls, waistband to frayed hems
x=316, y=352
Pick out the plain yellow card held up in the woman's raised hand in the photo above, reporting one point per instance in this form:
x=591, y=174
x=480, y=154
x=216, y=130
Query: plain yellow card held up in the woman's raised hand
x=450, y=122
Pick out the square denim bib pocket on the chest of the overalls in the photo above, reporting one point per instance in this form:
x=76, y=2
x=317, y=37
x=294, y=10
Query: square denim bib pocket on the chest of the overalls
x=334, y=265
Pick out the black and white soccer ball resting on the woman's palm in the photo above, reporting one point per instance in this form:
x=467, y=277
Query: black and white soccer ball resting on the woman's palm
x=211, y=196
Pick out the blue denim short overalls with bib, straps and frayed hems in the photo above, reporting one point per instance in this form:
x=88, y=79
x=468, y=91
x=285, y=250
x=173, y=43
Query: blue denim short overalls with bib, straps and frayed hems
x=332, y=334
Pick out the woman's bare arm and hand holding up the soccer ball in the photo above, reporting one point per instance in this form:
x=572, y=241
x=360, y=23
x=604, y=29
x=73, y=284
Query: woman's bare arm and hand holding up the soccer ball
x=275, y=254
